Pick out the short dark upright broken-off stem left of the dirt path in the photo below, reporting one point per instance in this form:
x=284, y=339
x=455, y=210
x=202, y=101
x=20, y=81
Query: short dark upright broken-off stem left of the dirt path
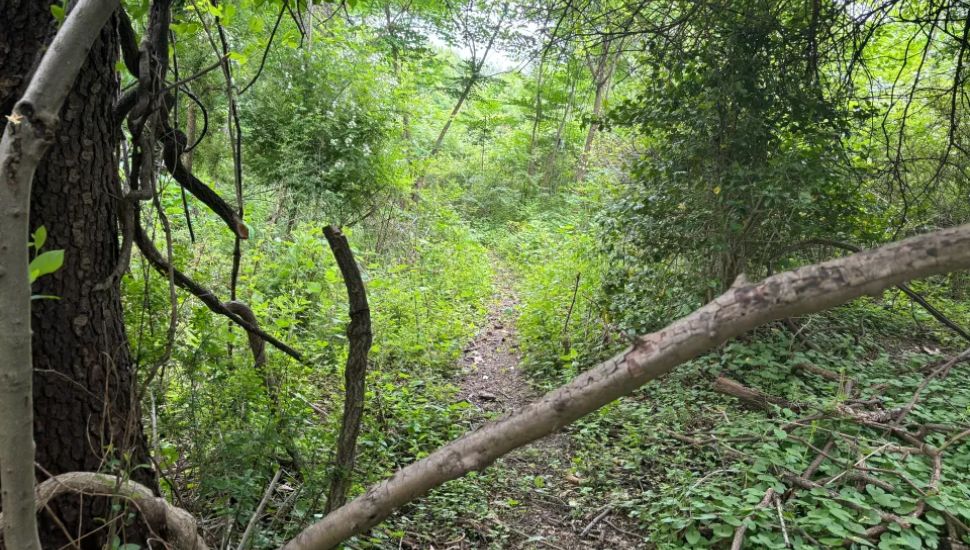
x=359, y=337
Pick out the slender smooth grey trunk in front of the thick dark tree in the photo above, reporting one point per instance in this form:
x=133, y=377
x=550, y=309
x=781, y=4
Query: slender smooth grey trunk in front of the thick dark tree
x=28, y=133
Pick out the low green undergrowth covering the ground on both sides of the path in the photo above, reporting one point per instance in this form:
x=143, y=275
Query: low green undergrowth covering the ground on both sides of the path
x=683, y=464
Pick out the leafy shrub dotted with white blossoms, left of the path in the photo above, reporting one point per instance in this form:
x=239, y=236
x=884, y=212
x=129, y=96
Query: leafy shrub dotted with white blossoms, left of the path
x=323, y=137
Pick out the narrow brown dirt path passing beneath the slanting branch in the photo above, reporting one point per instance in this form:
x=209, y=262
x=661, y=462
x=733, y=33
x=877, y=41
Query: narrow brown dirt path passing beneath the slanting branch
x=535, y=505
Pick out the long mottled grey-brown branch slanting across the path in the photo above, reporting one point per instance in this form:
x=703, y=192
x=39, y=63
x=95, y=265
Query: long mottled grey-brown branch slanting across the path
x=805, y=290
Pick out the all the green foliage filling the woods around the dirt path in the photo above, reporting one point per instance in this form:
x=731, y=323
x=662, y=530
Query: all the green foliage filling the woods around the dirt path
x=731, y=139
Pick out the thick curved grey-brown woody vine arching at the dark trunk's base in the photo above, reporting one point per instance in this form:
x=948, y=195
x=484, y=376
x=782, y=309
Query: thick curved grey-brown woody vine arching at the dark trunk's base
x=179, y=526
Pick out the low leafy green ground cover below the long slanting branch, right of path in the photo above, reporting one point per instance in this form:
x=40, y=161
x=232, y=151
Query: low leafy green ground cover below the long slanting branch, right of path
x=694, y=495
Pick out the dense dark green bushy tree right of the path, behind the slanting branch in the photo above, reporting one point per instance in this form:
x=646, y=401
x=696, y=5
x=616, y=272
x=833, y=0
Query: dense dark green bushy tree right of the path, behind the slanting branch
x=744, y=154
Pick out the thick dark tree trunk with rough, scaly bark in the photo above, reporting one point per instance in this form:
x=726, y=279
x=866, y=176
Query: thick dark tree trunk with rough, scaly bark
x=86, y=416
